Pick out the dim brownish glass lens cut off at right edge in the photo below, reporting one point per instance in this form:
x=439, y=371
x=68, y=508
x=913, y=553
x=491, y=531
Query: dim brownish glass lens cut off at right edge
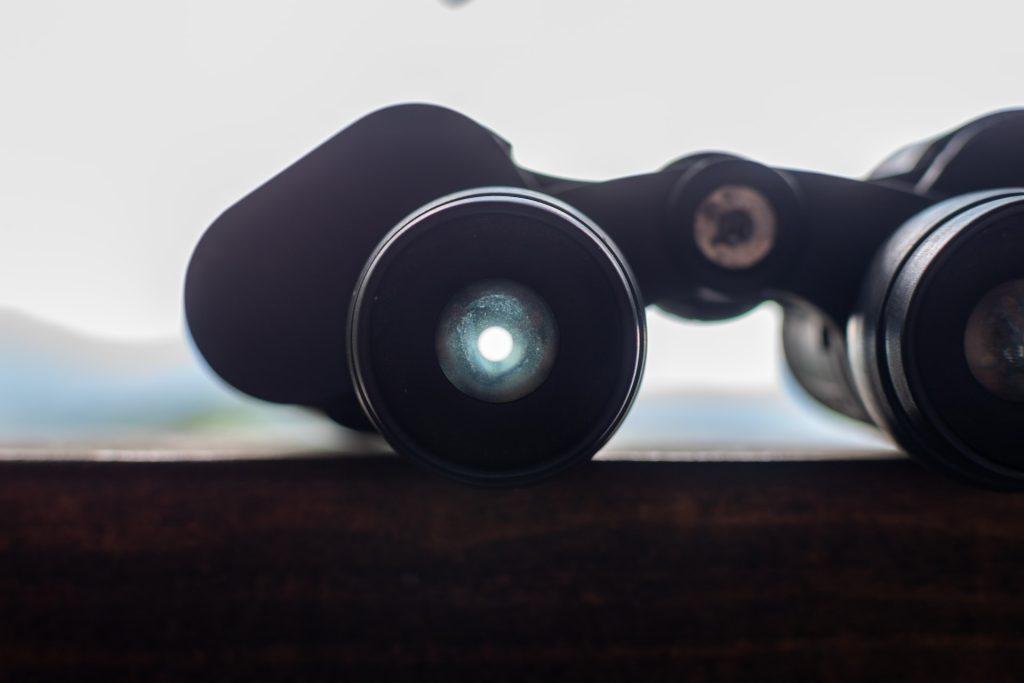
x=994, y=341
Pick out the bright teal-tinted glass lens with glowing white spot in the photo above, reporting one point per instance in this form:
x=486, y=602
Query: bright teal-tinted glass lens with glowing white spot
x=497, y=341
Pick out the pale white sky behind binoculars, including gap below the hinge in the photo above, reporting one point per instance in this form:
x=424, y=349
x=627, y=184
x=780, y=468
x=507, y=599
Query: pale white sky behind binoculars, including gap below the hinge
x=126, y=127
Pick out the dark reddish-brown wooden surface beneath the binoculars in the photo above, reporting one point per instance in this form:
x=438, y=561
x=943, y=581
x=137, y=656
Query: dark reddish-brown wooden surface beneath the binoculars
x=371, y=570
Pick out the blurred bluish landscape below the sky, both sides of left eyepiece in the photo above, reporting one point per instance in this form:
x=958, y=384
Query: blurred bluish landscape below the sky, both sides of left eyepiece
x=64, y=393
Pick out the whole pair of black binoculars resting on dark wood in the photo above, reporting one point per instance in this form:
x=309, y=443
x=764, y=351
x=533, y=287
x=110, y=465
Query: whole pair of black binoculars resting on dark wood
x=408, y=277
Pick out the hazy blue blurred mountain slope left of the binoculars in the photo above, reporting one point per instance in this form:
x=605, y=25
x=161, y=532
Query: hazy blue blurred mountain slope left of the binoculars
x=55, y=381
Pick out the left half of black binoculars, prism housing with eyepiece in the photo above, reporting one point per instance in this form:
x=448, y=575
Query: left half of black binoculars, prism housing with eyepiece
x=403, y=278
